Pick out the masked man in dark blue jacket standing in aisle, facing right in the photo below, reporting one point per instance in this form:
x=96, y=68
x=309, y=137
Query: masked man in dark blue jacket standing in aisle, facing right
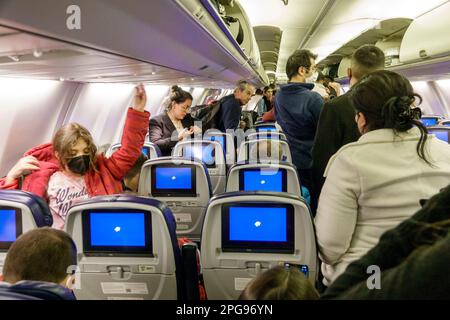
x=298, y=109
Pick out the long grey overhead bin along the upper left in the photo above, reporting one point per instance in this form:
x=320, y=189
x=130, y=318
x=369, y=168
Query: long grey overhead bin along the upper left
x=158, y=32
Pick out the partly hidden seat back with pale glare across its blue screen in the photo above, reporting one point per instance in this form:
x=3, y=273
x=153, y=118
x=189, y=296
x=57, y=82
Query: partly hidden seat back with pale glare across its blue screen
x=210, y=152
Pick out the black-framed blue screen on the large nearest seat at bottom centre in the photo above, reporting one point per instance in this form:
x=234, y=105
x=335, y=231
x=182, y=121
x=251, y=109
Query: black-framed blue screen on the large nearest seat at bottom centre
x=258, y=227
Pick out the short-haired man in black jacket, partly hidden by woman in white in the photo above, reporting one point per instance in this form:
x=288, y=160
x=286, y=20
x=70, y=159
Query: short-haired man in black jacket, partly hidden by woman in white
x=337, y=126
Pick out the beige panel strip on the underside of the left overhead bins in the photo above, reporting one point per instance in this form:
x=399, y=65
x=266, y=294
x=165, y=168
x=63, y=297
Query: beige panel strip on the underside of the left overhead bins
x=35, y=57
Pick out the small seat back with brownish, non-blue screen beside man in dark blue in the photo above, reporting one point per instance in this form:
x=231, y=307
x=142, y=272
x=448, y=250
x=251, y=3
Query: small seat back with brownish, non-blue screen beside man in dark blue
x=264, y=150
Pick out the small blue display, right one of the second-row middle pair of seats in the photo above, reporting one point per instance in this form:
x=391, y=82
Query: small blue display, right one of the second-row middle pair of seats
x=263, y=181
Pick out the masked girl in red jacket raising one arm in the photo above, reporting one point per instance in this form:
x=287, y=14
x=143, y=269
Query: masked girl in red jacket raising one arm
x=69, y=168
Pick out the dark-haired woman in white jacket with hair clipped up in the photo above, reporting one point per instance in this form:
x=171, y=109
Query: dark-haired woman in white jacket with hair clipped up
x=377, y=182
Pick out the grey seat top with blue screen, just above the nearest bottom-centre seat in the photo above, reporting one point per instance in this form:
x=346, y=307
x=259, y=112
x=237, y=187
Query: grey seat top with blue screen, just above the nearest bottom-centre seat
x=270, y=177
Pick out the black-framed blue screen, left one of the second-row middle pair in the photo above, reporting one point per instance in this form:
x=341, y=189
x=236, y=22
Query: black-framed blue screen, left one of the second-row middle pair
x=173, y=180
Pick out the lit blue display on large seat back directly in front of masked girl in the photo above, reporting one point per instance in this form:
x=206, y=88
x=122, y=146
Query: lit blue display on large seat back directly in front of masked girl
x=117, y=229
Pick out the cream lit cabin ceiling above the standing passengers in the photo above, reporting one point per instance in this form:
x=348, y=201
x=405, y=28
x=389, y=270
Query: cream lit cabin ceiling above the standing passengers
x=331, y=28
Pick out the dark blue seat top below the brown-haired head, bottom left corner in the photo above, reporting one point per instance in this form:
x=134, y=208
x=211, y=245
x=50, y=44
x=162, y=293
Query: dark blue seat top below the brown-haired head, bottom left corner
x=34, y=290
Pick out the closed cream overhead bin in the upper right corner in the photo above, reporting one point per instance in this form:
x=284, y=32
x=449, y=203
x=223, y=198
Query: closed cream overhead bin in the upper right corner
x=427, y=36
